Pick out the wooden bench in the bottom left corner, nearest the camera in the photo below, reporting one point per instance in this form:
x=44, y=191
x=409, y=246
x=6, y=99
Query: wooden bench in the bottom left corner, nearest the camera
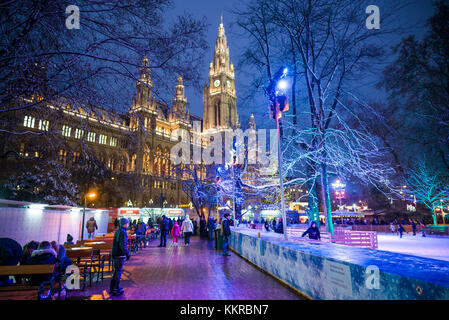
x=25, y=291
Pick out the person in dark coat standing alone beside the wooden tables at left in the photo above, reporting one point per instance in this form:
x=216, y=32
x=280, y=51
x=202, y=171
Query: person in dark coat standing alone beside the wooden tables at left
x=119, y=254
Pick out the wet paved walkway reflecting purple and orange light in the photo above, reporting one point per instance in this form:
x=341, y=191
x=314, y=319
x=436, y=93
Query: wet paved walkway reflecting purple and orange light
x=197, y=272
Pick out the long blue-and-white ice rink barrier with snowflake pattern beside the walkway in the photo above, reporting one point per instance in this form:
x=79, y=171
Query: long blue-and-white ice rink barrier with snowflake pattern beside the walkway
x=328, y=271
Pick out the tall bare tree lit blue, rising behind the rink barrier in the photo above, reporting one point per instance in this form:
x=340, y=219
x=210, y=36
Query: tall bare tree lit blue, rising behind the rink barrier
x=332, y=46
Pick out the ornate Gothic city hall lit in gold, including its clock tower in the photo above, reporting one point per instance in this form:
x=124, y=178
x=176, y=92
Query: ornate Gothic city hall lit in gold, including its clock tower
x=132, y=149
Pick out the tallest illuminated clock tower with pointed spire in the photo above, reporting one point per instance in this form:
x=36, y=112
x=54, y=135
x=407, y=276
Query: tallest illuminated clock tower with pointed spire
x=219, y=97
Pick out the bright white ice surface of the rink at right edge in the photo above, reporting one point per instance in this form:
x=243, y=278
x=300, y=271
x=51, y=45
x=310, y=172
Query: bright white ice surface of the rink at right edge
x=429, y=247
